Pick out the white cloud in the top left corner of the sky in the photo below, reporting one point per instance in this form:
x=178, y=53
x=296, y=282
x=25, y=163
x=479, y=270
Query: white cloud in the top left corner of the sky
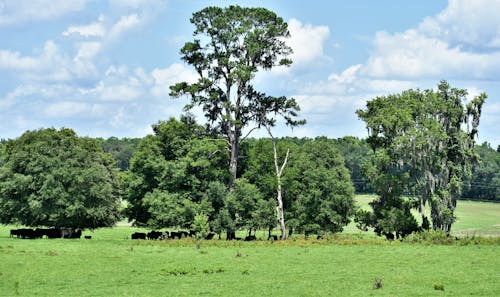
x=22, y=11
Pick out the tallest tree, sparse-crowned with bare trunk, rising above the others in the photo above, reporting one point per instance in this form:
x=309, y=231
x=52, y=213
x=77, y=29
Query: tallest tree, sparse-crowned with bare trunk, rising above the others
x=231, y=45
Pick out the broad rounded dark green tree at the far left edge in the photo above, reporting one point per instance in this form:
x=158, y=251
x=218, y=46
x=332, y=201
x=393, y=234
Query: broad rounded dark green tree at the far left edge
x=55, y=178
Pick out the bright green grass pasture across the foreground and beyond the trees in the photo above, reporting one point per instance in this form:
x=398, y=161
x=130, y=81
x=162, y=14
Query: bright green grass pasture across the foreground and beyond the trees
x=110, y=264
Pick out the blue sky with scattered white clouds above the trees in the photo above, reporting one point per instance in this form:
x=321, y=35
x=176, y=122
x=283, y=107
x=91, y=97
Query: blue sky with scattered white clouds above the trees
x=103, y=68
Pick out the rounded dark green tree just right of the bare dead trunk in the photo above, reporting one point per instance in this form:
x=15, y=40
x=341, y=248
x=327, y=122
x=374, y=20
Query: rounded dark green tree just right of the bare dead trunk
x=323, y=189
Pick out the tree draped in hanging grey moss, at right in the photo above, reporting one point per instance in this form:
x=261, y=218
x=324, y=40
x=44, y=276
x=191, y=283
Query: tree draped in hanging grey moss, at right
x=422, y=134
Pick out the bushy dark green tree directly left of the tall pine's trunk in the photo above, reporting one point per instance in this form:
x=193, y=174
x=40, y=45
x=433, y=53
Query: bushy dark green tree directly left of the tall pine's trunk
x=171, y=173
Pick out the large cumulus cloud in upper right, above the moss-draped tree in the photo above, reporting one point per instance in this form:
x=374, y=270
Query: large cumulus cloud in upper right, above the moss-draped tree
x=463, y=41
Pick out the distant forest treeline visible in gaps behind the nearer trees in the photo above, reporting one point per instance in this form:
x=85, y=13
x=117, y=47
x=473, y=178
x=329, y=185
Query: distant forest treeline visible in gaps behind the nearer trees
x=484, y=184
